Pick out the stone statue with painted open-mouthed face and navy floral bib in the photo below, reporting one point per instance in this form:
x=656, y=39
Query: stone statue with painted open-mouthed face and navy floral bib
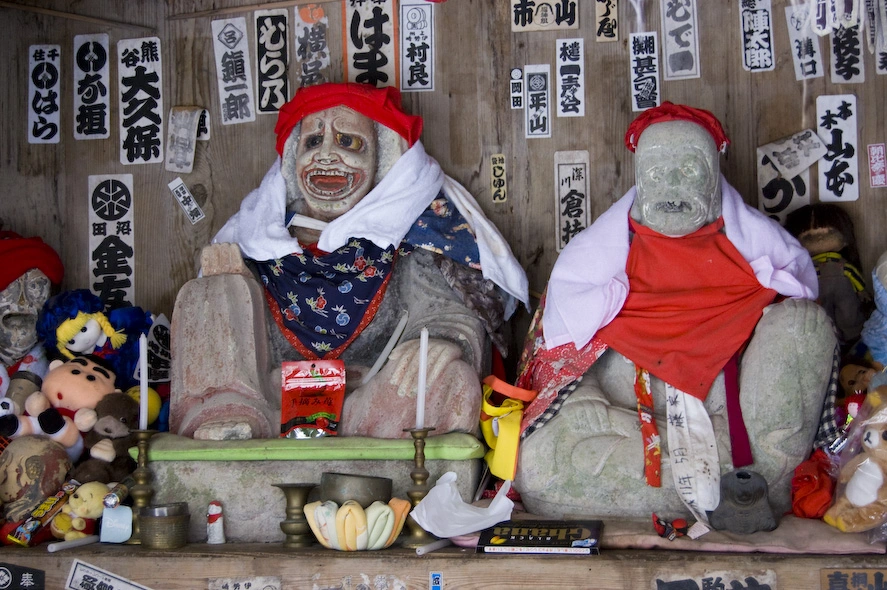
x=354, y=232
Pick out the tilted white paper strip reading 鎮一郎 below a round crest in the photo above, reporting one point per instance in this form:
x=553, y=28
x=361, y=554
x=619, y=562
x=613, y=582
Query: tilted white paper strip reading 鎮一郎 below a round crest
x=235, y=80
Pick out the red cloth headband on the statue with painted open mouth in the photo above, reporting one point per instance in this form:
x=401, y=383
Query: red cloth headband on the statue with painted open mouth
x=379, y=104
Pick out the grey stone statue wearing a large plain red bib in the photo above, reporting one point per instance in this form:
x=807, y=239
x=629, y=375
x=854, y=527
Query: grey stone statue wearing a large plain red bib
x=678, y=340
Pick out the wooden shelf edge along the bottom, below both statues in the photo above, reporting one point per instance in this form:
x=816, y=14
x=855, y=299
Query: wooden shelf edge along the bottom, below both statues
x=201, y=566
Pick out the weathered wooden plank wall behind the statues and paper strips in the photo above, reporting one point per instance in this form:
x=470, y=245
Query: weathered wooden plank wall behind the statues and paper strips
x=44, y=187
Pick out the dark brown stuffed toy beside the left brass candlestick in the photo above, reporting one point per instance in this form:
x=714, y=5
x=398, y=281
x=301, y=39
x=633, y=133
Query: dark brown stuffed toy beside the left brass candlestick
x=109, y=441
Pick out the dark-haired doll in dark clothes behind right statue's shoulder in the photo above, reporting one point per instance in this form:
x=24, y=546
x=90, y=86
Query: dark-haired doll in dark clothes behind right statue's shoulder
x=826, y=231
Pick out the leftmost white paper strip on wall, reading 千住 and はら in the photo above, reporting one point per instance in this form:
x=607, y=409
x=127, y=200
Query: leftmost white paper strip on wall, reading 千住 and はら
x=44, y=87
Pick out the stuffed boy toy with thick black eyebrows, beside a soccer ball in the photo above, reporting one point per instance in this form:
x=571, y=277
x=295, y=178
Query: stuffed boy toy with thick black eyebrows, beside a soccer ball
x=65, y=405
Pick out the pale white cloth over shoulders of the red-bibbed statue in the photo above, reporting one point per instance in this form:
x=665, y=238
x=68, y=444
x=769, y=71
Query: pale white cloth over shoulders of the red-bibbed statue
x=588, y=283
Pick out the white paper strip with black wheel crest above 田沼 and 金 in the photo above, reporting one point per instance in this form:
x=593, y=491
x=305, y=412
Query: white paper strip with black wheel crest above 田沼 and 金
x=111, y=253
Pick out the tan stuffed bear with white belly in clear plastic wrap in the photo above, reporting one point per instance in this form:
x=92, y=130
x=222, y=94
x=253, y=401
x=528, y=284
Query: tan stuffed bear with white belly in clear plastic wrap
x=861, y=503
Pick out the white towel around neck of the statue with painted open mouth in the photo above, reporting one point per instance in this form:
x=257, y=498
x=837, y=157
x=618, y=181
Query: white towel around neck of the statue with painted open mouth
x=383, y=216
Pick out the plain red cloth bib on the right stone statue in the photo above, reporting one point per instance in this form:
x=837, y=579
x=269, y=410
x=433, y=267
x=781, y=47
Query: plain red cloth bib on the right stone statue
x=692, y=303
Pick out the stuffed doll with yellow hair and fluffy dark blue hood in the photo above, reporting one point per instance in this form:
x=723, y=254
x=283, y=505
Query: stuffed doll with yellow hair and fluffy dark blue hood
x=74, y=322
